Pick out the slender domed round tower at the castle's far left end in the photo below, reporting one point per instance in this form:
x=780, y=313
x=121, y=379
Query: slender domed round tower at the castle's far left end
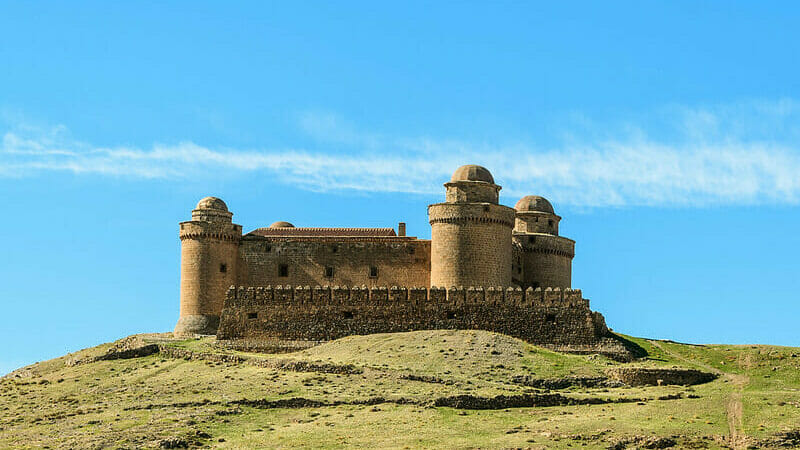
x=209, y=255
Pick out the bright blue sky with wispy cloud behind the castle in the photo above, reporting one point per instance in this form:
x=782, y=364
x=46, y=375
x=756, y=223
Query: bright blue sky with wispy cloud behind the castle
x=665, y=133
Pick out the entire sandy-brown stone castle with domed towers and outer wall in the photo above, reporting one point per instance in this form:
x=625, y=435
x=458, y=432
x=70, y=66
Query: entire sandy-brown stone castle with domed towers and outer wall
x=486, y=266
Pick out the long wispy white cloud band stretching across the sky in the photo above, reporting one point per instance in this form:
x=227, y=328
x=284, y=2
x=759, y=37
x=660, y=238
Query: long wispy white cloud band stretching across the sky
x=732, y=154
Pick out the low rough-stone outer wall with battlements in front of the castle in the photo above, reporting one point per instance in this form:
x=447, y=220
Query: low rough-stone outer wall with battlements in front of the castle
x=554, y=318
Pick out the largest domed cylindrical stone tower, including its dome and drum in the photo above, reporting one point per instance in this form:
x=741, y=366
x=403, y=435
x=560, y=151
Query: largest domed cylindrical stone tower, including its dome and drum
x=471, y=232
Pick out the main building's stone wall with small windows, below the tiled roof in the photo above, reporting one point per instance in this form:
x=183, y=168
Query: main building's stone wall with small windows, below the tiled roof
x=396, y=261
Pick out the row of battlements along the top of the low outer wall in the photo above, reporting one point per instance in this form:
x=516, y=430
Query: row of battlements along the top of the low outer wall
x=362, y=296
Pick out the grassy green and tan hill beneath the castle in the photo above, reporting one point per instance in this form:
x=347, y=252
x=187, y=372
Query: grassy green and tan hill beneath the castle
x=418, y=389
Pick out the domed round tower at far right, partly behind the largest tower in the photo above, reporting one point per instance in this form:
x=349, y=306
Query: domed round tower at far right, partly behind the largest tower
x=545, y=257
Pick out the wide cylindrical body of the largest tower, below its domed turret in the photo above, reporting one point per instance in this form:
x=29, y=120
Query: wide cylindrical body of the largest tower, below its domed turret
x=471, y=244
